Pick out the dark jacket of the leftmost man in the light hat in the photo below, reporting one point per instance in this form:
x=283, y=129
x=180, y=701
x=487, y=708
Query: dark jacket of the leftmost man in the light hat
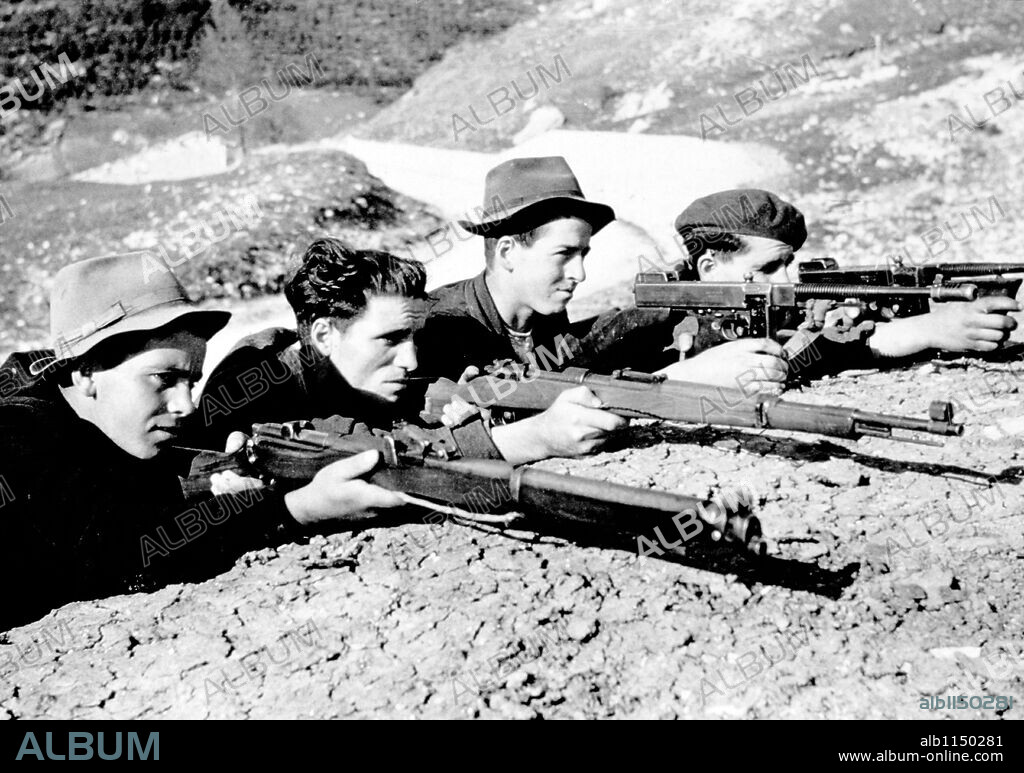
x=83, y=520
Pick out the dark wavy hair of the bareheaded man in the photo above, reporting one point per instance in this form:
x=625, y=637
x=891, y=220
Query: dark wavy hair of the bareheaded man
x=336, y=282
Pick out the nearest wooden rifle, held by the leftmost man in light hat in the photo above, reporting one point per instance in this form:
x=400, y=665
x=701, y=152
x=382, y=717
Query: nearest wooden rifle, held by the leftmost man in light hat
x=424, y=463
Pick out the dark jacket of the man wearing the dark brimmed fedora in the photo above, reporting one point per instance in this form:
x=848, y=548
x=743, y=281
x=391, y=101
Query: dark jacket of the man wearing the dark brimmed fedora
x=463, y=328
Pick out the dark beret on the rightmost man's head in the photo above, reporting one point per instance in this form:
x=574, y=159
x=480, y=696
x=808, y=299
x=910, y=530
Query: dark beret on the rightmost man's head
x=745, y=211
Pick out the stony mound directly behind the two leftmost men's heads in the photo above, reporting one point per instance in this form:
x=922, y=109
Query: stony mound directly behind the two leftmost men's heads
x=234, y=236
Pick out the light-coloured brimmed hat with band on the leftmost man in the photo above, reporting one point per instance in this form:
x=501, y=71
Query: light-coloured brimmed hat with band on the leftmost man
x=97, y=299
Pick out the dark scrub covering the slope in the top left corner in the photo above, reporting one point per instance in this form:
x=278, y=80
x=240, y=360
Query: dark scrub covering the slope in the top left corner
x=126, y=46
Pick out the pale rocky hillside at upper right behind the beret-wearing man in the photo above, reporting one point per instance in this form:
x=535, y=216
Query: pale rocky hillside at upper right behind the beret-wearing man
x=858, y=97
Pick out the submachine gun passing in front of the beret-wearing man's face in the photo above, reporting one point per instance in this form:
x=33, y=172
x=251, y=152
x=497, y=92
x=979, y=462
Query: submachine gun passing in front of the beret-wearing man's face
x=721, y=312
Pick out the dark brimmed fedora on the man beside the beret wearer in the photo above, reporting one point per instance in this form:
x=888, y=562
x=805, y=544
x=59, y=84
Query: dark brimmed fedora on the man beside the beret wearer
x=523, y=190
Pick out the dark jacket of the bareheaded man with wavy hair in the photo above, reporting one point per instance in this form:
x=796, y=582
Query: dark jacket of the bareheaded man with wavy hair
x=266, y=378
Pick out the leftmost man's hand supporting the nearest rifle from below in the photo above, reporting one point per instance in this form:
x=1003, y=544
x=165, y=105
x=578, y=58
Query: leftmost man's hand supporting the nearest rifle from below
x=336, y=494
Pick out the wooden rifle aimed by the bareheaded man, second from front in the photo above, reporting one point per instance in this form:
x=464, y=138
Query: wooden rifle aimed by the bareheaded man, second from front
x=639, y=396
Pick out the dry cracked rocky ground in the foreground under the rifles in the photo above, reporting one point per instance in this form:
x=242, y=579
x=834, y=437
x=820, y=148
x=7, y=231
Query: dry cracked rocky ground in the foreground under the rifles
x=891, y=577
